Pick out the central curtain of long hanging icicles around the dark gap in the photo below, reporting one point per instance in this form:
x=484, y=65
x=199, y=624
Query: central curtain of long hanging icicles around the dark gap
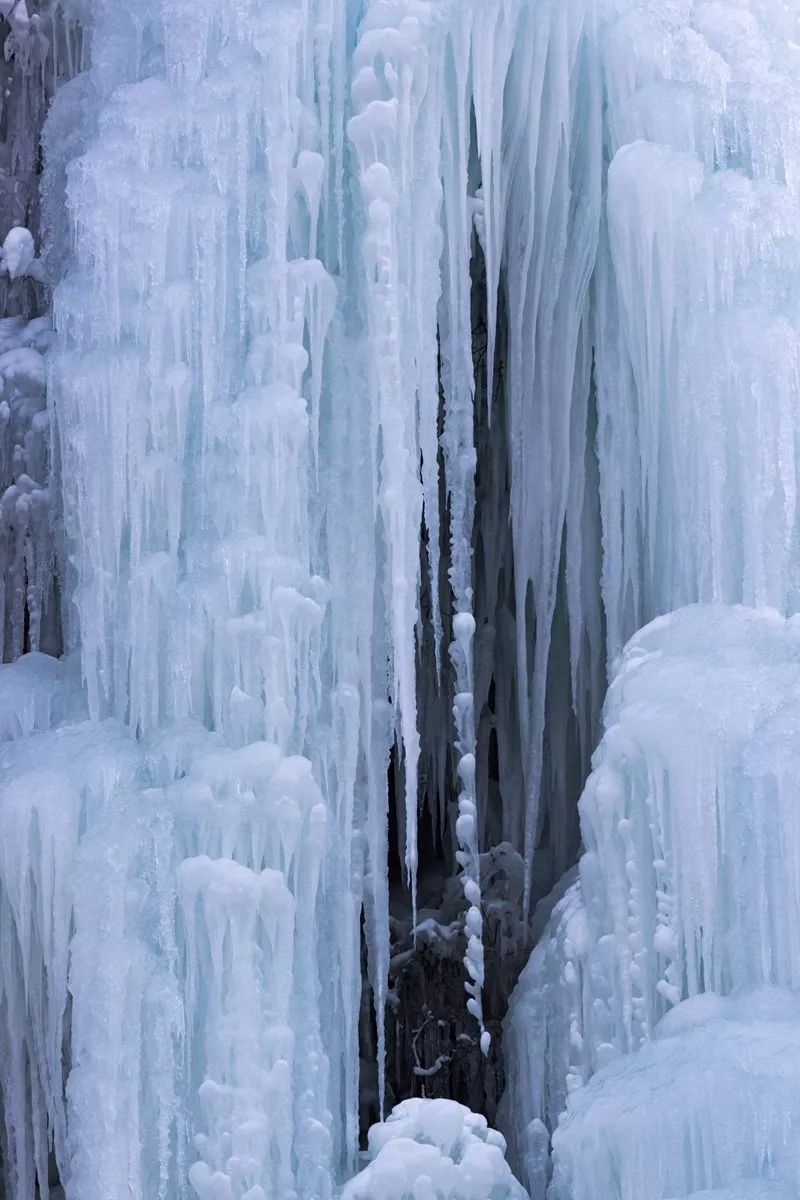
x=431, y=101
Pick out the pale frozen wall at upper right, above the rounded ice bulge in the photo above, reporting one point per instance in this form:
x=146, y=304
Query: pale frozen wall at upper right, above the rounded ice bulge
x=696, y=310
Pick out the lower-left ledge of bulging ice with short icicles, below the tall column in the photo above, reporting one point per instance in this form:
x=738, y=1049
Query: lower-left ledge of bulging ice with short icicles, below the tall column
x=178, y=963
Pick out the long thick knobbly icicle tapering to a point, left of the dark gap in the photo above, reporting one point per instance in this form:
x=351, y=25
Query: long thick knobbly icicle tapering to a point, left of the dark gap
x=394, y=107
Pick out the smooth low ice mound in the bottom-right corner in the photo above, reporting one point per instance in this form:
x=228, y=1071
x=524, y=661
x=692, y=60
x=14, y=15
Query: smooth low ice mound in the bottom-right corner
x=713, y=1102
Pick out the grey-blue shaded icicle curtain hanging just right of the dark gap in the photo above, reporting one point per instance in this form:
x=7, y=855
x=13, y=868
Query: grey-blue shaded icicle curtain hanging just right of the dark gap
x=549, y=191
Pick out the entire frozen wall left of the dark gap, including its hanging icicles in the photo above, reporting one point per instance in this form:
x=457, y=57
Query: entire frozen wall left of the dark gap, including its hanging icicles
x=254, y=362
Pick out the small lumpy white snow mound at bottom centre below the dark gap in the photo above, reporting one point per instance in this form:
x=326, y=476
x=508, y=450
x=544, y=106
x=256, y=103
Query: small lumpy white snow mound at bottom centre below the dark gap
x=435, y=1150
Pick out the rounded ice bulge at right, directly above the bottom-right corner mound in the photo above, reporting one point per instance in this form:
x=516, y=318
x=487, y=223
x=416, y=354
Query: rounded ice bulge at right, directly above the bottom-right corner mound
x=689, y=815
